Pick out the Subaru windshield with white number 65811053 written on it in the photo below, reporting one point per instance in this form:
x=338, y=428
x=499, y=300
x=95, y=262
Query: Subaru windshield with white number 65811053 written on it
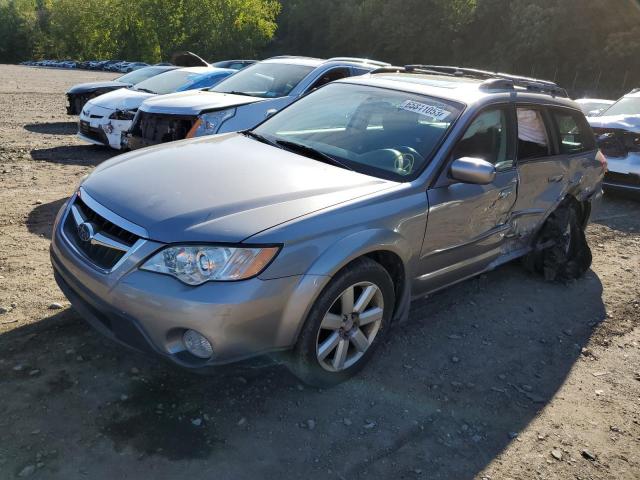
x=386, y=133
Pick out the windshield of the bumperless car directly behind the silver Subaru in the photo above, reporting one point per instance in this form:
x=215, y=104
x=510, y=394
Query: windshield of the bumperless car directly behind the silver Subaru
x=265, y=80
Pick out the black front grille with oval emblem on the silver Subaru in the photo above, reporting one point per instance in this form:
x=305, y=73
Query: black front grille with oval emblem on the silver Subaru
x=104, y=257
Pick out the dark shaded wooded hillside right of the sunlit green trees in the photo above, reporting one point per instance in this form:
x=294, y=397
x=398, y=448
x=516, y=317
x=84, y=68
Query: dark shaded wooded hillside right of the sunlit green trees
x=588, y=46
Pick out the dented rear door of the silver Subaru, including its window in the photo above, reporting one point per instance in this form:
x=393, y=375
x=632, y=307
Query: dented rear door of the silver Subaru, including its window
x=542, y=170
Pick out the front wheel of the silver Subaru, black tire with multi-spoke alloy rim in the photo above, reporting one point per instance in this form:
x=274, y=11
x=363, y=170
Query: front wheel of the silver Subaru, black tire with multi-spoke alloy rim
x=331, y=348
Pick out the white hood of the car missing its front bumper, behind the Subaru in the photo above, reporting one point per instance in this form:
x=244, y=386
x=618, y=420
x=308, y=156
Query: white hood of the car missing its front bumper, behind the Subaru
x=192, y=102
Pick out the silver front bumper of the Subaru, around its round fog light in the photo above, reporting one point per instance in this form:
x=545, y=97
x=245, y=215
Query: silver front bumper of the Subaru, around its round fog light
x=149, y=312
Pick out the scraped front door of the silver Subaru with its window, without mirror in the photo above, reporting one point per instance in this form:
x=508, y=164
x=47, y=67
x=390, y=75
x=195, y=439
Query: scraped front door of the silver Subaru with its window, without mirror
x=467, y=223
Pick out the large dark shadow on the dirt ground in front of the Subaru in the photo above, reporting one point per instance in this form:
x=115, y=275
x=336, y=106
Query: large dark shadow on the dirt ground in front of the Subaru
x=446, y=394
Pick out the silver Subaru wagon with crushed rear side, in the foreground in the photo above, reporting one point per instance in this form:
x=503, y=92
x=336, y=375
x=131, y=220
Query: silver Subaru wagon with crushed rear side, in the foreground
x=312, y=232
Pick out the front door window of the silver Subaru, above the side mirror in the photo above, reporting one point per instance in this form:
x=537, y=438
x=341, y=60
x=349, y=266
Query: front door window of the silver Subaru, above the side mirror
x=487, y=138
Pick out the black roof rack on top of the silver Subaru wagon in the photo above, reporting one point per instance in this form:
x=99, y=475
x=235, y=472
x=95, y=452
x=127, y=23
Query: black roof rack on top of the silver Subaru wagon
x=493, y=80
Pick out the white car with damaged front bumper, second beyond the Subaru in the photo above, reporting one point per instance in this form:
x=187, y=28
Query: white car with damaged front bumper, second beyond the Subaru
x=105, y=118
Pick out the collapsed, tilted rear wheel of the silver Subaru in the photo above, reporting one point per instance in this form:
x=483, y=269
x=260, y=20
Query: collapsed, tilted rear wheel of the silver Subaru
x=561, y=252
